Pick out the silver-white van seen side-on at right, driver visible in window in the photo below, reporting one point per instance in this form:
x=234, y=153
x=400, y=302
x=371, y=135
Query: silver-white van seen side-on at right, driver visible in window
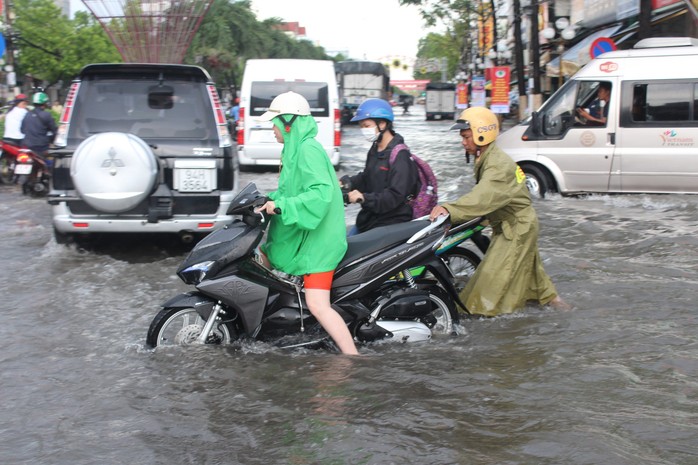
x=649, y=141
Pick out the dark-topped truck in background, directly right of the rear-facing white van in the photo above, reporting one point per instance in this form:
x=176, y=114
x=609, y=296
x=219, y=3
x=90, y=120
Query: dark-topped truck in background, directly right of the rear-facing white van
x=359, y=80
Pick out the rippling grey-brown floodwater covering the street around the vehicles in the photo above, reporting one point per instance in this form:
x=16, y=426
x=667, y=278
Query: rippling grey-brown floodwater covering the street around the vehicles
x=613, y=382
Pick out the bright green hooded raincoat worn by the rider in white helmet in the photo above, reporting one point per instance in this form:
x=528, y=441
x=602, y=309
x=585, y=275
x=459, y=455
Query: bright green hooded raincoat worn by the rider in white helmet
x=309, y=236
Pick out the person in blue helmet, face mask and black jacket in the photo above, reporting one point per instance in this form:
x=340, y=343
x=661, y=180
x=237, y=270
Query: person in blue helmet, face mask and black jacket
x=384, y=188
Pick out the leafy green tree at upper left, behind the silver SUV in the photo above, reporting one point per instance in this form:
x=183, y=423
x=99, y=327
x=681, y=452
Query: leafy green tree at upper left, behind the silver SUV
x=53, y=47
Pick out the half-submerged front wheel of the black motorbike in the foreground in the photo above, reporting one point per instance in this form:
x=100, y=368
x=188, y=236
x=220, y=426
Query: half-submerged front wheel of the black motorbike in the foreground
x=182, y=327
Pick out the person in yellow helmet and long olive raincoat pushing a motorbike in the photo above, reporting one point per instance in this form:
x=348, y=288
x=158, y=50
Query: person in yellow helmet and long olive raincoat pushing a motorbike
x=511, y=273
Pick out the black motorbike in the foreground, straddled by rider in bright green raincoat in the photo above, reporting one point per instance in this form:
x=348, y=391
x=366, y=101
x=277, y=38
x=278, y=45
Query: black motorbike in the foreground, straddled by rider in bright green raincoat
x=237, y=297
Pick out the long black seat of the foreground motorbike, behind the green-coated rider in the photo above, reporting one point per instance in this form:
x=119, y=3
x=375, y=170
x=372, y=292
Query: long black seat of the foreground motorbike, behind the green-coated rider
x=379, y=238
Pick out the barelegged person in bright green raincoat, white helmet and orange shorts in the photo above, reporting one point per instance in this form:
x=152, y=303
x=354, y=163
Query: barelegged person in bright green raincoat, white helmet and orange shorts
x=308, y=237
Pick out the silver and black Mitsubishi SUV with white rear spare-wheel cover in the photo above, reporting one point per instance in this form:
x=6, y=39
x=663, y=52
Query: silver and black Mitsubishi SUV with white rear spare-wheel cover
x=142, y=148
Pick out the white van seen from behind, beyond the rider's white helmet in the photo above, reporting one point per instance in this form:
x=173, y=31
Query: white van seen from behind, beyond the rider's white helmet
x=265, y=79
